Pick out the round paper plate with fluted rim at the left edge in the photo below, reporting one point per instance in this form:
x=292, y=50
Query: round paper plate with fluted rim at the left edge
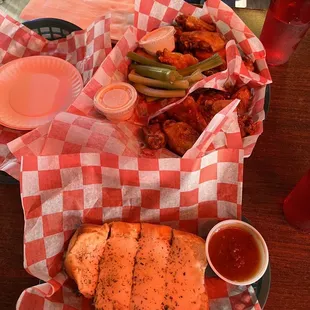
x=34, y=89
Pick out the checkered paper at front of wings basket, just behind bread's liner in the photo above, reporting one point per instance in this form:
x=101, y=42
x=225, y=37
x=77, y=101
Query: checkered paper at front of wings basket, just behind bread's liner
x=71, y=133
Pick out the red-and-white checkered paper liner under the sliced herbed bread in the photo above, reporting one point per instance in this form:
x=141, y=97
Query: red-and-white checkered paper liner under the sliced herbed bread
x=60, y=192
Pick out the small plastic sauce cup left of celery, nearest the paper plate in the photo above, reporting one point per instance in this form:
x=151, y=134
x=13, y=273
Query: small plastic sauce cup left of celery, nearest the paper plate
x=116, y=101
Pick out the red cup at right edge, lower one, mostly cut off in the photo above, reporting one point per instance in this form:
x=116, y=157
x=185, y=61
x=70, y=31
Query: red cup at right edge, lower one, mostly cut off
x=297, y=205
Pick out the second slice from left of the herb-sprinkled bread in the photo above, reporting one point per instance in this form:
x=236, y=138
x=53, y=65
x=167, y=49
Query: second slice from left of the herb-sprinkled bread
x=116, y=267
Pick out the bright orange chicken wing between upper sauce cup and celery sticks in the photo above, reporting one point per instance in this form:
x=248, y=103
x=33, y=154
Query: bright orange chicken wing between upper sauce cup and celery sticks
x=180, y=61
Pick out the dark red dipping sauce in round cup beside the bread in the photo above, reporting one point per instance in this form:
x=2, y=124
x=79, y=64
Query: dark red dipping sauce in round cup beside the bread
x=235, y=253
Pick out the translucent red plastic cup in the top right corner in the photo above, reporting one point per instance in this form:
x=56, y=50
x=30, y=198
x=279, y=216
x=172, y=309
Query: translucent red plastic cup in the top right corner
x=286, y=23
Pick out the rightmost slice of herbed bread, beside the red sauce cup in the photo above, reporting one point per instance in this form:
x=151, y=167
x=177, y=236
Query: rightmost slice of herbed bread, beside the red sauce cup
x=186, y=266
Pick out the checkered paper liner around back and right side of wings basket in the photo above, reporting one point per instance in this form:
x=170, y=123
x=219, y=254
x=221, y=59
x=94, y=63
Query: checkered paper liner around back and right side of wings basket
x=152, y=14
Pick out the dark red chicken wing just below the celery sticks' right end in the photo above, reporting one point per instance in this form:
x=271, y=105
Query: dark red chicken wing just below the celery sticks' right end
x=188, y=112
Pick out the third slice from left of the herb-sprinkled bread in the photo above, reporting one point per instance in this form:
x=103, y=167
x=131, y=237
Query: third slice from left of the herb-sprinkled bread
x=151, y=261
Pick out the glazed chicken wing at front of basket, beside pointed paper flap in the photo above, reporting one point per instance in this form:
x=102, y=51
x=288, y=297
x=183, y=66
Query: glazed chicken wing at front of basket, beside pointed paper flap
x=180, y=136
